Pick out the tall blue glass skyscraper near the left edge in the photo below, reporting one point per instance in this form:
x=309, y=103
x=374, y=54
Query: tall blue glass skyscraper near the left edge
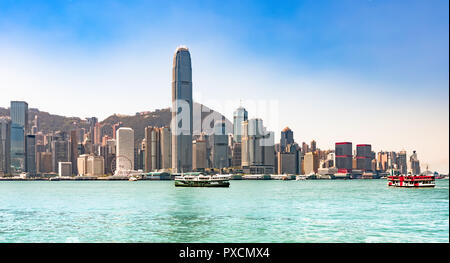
x=19, y=127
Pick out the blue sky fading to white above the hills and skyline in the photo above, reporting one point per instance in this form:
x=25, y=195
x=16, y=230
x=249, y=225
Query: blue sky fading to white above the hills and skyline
x=381, y=64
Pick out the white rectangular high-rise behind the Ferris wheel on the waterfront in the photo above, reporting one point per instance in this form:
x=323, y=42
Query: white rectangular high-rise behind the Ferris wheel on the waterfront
x=124, y=150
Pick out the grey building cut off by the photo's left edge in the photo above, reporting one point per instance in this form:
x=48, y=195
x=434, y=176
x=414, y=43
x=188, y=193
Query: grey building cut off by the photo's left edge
x=5, y=145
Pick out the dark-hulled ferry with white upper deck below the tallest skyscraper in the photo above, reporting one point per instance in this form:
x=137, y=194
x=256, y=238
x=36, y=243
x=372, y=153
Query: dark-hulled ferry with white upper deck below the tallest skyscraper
x=200, y=180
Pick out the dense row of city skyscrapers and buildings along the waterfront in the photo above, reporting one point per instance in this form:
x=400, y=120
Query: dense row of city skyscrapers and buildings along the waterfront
x=96, y=149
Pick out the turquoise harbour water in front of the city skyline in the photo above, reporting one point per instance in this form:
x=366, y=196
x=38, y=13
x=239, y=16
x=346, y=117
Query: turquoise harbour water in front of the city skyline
x=248, y=211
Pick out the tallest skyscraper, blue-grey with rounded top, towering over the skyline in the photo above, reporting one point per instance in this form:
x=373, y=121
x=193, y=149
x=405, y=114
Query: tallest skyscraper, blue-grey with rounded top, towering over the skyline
x=182, y=107
